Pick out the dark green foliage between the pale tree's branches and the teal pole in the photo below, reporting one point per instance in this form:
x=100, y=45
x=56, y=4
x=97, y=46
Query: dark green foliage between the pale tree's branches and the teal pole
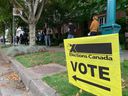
x=59, y=11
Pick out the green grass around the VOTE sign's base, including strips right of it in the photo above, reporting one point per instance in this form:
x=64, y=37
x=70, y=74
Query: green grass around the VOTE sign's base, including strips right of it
x=60, y=83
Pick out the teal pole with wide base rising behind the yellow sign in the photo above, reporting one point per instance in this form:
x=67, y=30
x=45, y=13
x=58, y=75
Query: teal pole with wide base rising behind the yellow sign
x=110, y=26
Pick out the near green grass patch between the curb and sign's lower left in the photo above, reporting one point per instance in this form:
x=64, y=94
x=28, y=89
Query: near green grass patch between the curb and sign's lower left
x=65, y=89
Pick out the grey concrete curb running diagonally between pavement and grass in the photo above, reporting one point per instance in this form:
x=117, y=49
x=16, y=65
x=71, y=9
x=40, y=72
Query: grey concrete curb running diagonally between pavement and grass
x=34, y=84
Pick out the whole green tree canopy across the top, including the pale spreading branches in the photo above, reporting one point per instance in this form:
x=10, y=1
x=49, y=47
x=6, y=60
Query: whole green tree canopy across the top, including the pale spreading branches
x=55, y=12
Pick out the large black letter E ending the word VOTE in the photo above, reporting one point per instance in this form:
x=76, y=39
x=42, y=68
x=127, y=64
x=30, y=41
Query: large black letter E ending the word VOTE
x=102, y=72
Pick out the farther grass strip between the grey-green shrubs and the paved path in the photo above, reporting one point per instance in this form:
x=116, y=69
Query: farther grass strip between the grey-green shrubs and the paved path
x=41, y=58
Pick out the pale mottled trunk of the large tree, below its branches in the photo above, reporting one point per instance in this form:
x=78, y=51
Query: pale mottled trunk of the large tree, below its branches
x=32, y=37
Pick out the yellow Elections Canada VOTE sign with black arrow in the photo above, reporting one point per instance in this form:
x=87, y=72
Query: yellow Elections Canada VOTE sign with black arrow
x=93, y=64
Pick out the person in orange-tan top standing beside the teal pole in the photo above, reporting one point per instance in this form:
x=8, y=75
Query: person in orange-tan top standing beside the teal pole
x=94, y=27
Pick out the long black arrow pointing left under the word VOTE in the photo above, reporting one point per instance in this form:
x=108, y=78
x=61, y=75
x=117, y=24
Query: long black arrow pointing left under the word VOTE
x=91, y=83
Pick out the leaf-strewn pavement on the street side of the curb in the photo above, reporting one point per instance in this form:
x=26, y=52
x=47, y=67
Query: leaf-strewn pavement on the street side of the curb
x=9, y=86
